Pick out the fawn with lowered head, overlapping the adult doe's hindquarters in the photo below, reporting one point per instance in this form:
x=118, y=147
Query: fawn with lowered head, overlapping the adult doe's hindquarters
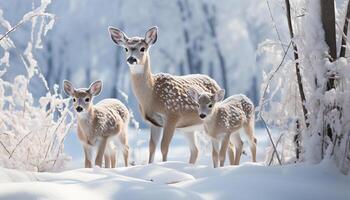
x=222, y=121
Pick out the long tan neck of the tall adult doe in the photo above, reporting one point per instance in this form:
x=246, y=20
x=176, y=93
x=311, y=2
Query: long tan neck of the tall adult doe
x=142, y=82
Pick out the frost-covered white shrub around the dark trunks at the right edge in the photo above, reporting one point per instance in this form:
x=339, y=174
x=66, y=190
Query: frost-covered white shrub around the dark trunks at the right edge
x=327, y=107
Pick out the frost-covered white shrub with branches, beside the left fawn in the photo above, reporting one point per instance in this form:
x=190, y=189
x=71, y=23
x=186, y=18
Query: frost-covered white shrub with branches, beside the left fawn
x=31, y=132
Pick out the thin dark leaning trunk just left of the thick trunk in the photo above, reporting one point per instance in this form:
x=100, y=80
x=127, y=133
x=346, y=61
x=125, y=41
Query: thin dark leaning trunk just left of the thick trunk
x=297, y=69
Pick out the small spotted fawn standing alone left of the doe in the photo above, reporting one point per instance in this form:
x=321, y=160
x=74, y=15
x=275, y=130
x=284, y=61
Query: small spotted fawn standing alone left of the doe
x=99, y=125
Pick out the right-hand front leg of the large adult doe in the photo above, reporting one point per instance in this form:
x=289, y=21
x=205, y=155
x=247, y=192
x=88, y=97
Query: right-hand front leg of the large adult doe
x=168, y=134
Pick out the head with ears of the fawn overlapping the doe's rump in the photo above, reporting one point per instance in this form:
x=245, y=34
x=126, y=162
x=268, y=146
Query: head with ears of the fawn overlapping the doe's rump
x=206, y=101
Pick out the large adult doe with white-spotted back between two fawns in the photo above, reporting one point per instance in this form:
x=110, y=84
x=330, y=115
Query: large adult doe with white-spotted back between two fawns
x=162, y=98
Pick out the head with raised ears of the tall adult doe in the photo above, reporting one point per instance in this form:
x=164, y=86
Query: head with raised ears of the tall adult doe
x=136, y=48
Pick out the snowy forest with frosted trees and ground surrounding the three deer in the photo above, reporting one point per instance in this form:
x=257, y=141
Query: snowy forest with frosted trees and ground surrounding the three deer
x=291, y=58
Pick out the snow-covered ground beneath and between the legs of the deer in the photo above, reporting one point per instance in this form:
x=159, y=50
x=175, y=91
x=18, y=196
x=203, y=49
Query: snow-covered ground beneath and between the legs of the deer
x=176, y=179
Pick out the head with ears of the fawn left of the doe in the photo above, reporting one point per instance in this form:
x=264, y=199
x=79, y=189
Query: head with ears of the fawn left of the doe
x=82, y=97
